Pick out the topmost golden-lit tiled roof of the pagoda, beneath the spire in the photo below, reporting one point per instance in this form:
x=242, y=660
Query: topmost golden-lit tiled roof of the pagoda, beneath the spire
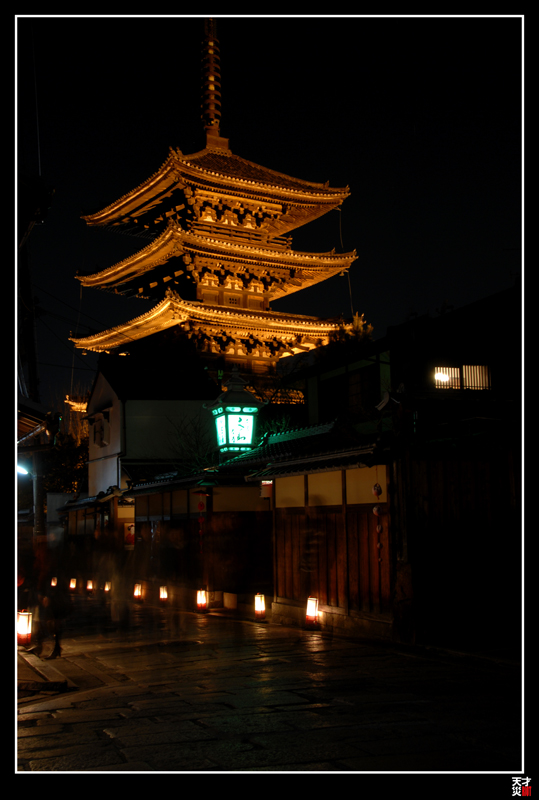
x=223, y=171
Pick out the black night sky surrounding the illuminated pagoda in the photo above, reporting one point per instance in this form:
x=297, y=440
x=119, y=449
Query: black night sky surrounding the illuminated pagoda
x=419, y=116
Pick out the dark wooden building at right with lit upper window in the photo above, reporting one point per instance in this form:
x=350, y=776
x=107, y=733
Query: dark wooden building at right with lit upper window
x=434, y=419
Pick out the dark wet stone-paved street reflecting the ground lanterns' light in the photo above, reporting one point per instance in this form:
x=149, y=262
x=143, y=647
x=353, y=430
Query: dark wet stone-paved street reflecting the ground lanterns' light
x=186, y=692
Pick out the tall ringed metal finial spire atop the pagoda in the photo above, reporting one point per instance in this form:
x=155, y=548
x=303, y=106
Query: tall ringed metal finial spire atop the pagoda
x=211, y=86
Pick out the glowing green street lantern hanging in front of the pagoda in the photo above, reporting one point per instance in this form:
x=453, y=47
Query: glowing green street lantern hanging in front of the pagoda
x=234, y=413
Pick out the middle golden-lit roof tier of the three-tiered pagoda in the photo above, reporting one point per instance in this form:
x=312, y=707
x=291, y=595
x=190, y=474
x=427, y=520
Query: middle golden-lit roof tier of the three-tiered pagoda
x=238, y=256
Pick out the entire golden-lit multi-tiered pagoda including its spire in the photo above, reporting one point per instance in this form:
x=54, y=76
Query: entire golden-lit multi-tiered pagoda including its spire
x=219, y=250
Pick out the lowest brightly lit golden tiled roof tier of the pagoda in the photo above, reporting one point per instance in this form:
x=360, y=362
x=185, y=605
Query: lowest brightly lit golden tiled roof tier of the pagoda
x=173, y=310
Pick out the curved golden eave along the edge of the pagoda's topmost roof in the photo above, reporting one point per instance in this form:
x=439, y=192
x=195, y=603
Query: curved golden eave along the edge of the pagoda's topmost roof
x=178, y=169
